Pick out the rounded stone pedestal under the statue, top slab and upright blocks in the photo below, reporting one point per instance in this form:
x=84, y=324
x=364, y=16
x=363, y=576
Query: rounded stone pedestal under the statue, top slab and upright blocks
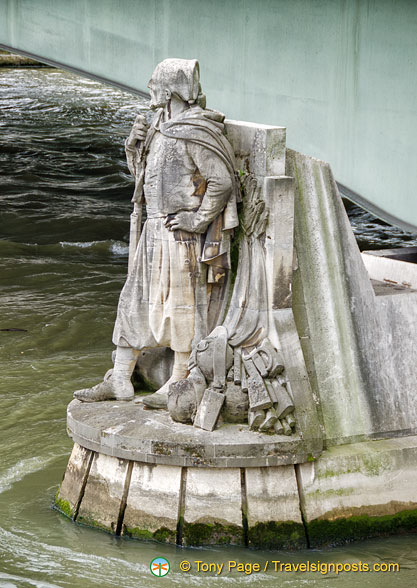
x=135, y=472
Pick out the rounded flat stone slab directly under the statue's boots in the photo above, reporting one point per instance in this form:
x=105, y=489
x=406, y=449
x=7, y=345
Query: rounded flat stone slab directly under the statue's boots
x=129, y=431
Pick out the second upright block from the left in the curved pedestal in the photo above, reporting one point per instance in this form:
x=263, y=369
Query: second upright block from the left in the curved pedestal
x=104, y=491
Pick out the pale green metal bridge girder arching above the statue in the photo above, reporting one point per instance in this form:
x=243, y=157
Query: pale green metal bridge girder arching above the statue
x=341, y=75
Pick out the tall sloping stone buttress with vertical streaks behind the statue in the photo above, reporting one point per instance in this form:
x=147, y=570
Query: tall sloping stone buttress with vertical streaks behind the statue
x=361, y=349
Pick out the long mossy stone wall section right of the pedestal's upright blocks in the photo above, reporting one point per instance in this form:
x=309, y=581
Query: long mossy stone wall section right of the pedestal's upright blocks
x=361, y=490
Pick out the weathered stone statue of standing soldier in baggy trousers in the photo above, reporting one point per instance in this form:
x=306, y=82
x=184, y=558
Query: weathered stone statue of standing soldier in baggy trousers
x=184, y=171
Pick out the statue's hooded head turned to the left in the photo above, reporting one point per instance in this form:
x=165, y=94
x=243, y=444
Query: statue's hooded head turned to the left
x=178, y=77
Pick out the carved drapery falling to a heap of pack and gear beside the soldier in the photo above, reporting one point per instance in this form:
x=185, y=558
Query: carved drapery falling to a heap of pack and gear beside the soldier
x=236, y=373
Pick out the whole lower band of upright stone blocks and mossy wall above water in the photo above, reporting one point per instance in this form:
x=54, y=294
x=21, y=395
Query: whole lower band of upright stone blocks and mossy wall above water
x=349, y=492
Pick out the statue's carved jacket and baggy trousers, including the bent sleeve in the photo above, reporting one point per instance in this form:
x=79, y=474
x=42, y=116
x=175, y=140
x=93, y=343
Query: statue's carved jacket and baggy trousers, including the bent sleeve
x=164, y=300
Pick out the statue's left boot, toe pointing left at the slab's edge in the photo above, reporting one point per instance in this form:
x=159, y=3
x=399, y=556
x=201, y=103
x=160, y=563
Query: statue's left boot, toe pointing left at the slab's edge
x=117, y=386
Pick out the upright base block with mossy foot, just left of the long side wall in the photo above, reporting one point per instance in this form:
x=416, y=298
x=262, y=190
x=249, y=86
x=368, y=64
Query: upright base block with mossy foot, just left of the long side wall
x=273, y=510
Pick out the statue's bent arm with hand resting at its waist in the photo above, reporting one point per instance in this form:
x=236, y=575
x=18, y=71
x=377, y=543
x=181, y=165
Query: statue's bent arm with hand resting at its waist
x=219, y=186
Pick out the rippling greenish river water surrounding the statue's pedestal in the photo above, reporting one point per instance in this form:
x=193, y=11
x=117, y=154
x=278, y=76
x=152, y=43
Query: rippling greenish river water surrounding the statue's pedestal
x=64, y=208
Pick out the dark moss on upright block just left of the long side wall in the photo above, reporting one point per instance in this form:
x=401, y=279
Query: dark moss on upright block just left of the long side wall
x=273, y=535
